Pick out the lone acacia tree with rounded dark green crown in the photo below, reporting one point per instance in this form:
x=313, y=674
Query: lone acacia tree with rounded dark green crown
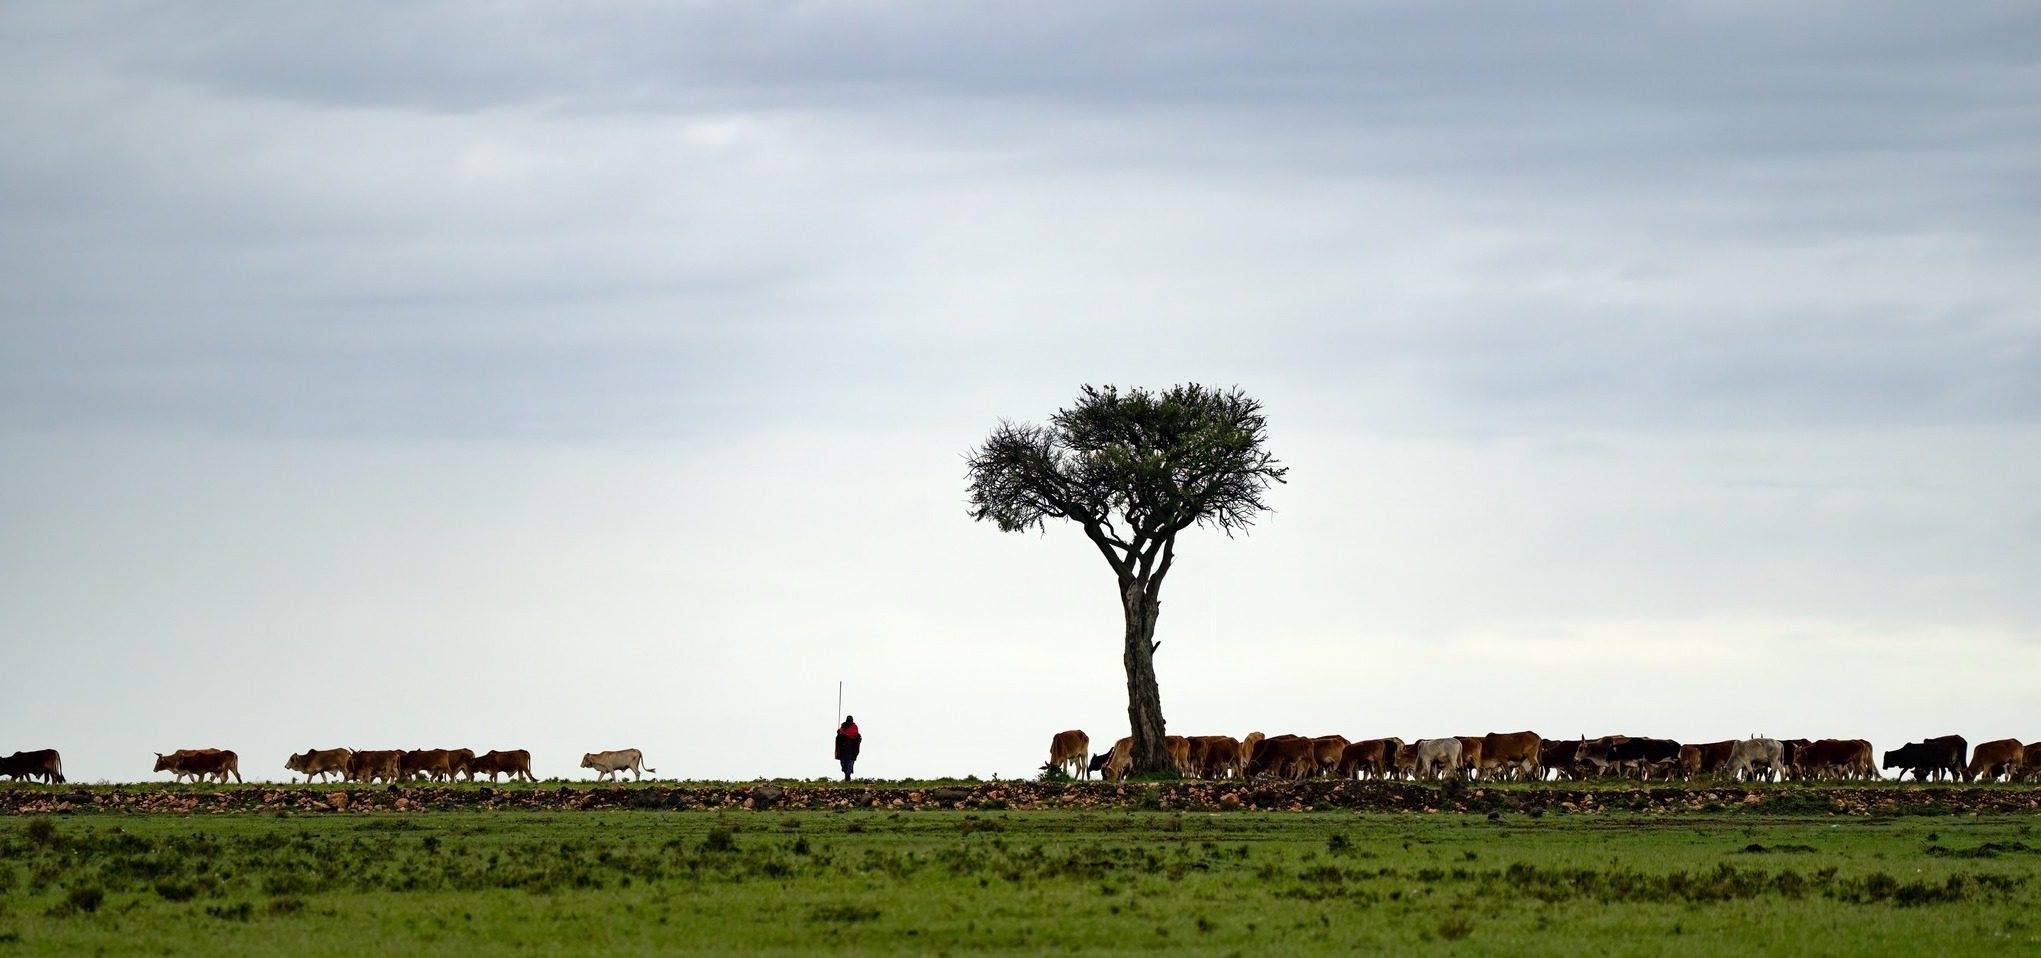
x=1132, y=469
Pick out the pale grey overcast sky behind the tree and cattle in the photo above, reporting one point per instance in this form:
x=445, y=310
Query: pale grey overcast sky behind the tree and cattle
x=593, y=377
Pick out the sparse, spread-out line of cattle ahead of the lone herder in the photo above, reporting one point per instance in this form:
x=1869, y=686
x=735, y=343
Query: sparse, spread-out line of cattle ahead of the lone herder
x=344, y=763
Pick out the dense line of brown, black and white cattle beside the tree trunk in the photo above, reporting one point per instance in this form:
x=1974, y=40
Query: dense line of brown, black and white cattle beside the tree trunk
x=1528, y=757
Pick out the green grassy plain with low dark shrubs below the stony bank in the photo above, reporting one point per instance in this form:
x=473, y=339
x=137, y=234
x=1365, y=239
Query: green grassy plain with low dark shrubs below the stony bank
x=883, y=881
